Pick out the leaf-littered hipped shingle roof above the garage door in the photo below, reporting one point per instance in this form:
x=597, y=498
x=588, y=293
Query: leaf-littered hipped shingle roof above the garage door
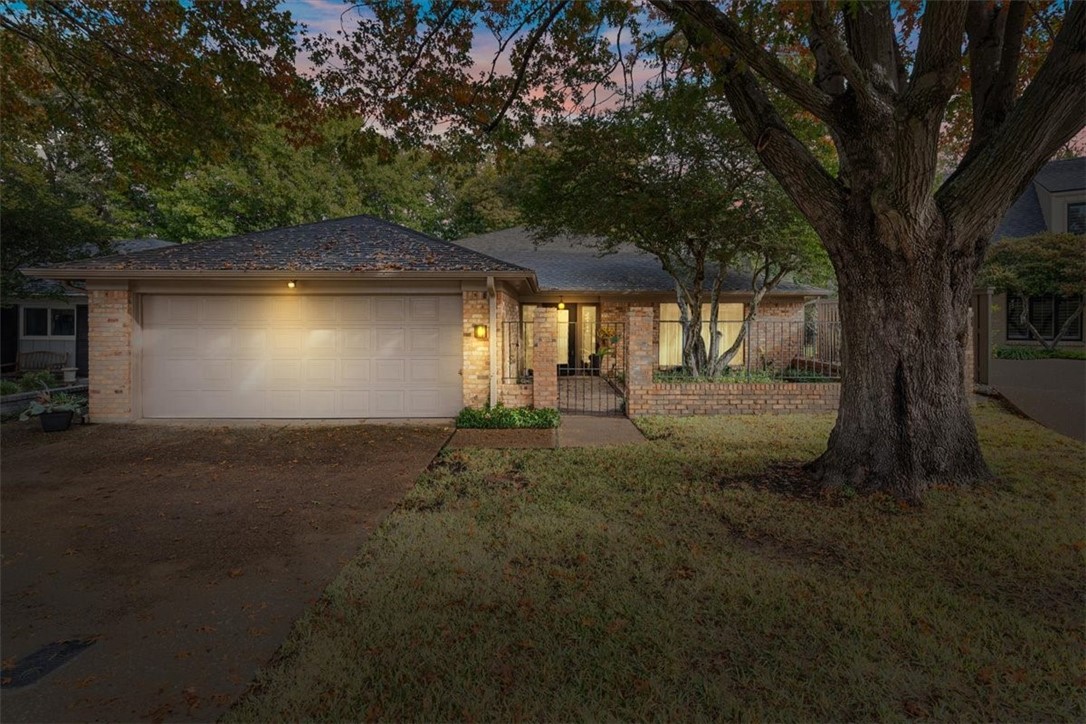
x=357, y=244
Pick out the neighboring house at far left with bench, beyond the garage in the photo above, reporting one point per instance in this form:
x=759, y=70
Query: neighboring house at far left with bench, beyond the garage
x=53, y=317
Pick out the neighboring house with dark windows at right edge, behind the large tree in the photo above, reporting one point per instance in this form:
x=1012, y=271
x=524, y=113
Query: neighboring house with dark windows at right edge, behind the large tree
x=1055, y=201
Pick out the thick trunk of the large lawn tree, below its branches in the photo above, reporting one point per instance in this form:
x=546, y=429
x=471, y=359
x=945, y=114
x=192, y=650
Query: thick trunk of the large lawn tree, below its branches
x=904, y=423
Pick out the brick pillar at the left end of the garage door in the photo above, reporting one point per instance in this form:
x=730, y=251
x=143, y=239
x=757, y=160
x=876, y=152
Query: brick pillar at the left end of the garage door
x=110, y=338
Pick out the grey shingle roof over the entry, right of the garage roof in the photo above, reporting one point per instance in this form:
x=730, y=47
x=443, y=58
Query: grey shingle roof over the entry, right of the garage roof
x=572, y=264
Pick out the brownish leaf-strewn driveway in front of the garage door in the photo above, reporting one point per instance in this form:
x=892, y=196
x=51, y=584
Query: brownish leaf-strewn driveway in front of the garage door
x=183, y=553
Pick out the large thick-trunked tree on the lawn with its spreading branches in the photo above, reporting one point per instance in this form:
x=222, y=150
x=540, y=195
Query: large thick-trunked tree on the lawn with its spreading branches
x=879, y=77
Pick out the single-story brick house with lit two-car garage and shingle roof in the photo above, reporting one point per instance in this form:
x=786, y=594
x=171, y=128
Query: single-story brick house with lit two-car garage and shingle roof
x=361, y=319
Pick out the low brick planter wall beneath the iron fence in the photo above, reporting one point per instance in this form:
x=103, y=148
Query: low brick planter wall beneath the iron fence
x=733, y=399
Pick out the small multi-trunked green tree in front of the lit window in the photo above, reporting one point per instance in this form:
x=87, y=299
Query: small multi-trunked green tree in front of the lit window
x=673, y=175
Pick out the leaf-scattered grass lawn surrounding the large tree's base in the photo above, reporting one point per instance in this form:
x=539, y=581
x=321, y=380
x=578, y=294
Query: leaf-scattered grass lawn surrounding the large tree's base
x=676, y=580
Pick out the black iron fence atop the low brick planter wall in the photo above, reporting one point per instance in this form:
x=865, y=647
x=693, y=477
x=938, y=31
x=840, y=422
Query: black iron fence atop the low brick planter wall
x=772, y=350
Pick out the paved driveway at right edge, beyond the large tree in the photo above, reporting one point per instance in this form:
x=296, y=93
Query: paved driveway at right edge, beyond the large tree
x=1053, y=392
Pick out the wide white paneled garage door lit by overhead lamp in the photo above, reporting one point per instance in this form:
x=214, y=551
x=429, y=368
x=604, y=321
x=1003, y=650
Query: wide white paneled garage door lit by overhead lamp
x=301, y=357
